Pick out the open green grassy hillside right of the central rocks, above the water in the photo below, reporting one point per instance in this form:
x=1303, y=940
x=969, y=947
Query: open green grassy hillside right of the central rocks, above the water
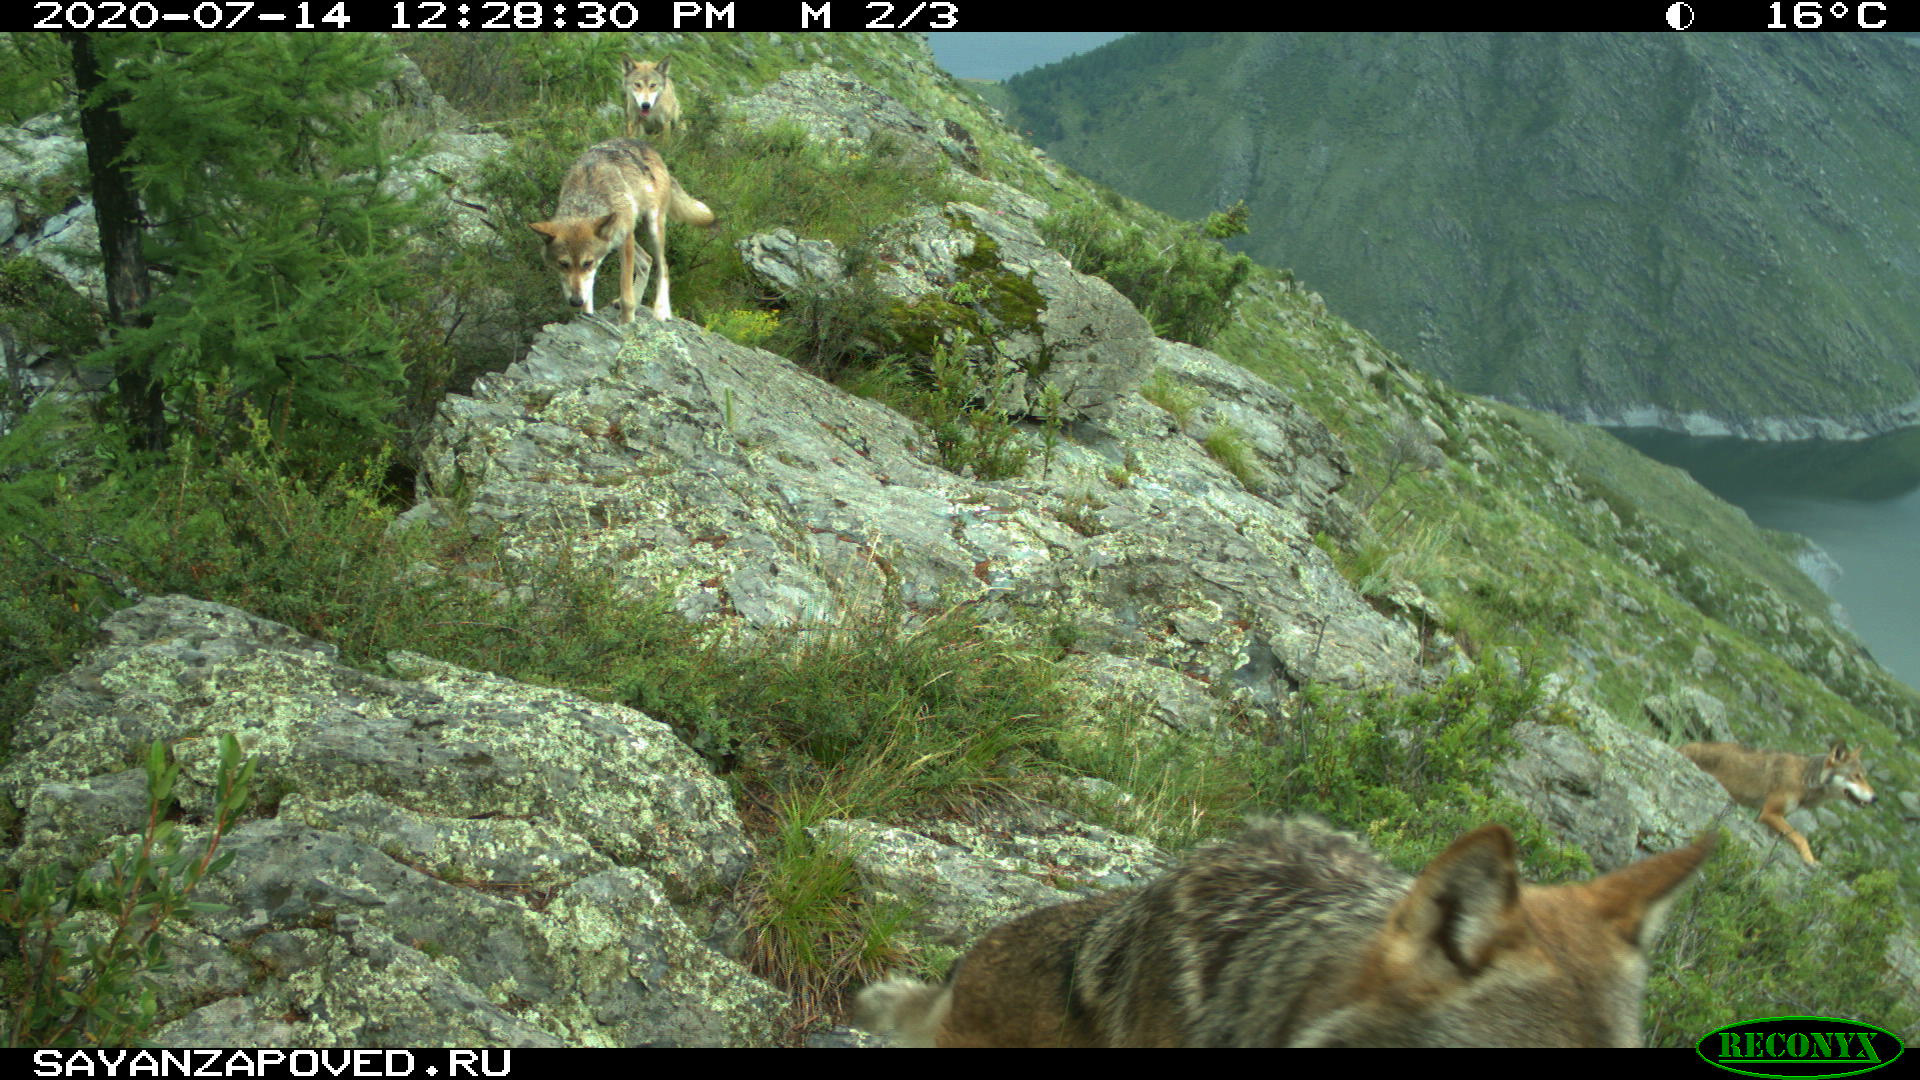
x=1568, y=543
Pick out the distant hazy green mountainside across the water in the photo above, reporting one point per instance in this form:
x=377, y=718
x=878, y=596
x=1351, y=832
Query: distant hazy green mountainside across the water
x=1691, y=232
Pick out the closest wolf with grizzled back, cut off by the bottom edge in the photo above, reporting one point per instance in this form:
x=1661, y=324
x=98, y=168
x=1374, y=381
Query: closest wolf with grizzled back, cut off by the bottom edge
x=1295, y=935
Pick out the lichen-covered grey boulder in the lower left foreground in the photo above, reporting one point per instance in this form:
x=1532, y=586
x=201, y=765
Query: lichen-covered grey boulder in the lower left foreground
x=439, y=860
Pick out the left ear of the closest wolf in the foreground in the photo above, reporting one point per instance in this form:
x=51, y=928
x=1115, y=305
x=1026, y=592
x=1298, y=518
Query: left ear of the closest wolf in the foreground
x=1460, y=906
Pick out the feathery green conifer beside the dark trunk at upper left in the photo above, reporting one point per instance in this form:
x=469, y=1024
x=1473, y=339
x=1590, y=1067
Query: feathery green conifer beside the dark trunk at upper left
x=270, y=201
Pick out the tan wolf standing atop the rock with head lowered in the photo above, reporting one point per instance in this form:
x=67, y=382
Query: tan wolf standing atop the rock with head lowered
x=613, y=191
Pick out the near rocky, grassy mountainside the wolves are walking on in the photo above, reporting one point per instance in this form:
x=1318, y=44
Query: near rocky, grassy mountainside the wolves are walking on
x=1291, y=576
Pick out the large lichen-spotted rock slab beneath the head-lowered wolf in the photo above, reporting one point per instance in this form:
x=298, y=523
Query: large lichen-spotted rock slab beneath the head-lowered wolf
x=756, y=493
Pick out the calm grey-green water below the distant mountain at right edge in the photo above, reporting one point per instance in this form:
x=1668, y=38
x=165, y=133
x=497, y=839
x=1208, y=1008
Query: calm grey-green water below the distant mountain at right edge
x=1858, y=501
